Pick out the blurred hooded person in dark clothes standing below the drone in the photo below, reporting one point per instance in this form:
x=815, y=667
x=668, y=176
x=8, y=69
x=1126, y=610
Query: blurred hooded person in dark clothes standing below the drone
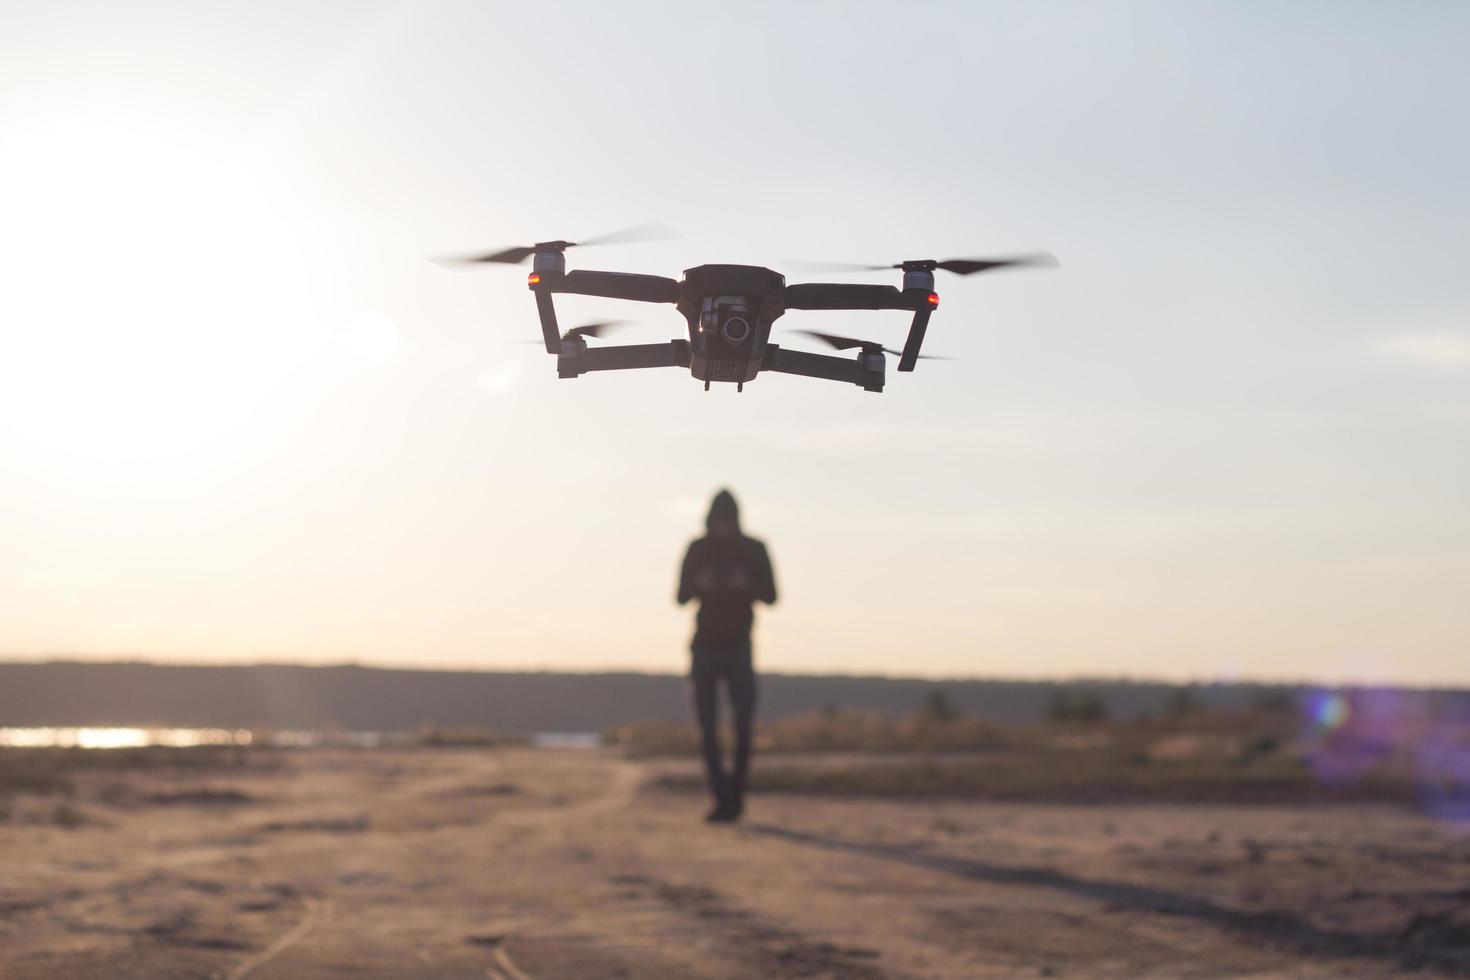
x=728, y=574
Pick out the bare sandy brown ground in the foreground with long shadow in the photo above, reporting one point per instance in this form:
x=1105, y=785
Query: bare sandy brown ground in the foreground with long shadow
x=524, y=863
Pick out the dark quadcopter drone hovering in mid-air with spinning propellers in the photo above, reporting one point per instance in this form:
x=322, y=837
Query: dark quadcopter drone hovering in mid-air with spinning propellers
x=731, y=311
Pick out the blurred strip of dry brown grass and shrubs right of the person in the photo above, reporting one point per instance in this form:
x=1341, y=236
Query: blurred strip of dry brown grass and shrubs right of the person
x=1190, y=754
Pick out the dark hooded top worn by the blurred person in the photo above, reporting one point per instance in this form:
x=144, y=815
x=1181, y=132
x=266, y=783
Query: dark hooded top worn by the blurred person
x=728, y=575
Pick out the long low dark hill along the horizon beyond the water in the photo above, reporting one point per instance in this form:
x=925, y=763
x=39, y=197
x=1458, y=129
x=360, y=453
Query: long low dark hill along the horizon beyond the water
x=370, y=699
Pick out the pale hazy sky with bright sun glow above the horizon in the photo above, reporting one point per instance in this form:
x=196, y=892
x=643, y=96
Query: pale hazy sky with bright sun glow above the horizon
x=246, y=418
